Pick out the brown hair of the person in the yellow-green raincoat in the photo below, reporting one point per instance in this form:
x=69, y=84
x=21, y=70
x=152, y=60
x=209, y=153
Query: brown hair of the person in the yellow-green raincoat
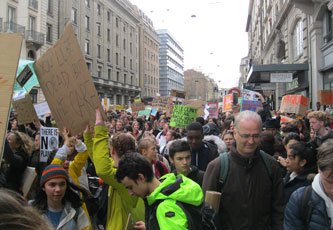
x=122, y=143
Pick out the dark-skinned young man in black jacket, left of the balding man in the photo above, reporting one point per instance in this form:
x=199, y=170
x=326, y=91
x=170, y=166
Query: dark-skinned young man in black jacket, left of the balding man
x=202, y=152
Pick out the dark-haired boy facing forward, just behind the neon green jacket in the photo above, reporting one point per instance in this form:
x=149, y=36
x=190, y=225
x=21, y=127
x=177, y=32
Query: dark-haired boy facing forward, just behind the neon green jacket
x=180, y=157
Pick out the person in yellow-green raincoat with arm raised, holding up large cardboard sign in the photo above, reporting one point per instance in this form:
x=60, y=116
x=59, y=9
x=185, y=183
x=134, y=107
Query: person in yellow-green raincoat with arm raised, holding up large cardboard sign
x=120, y=202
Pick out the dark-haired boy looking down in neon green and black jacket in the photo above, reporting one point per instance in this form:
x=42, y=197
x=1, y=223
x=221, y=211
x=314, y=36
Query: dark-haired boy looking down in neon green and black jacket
x=160, y=196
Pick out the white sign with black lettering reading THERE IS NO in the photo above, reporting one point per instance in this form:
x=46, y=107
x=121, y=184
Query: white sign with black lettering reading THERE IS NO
x=49, y=140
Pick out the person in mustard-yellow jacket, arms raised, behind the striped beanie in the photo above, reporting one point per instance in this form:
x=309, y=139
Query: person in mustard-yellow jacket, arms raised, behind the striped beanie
x=75, y=167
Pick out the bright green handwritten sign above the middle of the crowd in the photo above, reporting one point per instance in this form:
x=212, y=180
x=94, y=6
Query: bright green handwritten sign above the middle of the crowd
x=183, y=115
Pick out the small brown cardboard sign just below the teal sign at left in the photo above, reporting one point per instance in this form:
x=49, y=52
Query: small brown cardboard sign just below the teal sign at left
x=25, y=110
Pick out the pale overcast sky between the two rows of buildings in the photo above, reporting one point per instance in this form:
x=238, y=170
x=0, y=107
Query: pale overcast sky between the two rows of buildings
x=211, y=32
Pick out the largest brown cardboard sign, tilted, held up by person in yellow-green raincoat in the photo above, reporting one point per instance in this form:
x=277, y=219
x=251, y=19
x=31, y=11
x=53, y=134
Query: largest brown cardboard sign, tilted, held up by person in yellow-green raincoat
x=66, y=83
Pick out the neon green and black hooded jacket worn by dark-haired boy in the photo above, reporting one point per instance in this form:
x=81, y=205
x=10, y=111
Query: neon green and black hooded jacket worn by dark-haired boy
x=168, y=214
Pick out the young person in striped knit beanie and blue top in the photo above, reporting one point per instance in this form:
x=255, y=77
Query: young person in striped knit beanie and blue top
x=58, y=200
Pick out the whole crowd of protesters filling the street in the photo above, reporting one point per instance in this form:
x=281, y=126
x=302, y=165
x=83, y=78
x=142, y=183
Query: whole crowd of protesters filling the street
x=139, y=170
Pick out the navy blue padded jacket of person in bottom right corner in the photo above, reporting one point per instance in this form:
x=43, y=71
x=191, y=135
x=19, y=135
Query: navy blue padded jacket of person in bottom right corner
x=292, y=217
